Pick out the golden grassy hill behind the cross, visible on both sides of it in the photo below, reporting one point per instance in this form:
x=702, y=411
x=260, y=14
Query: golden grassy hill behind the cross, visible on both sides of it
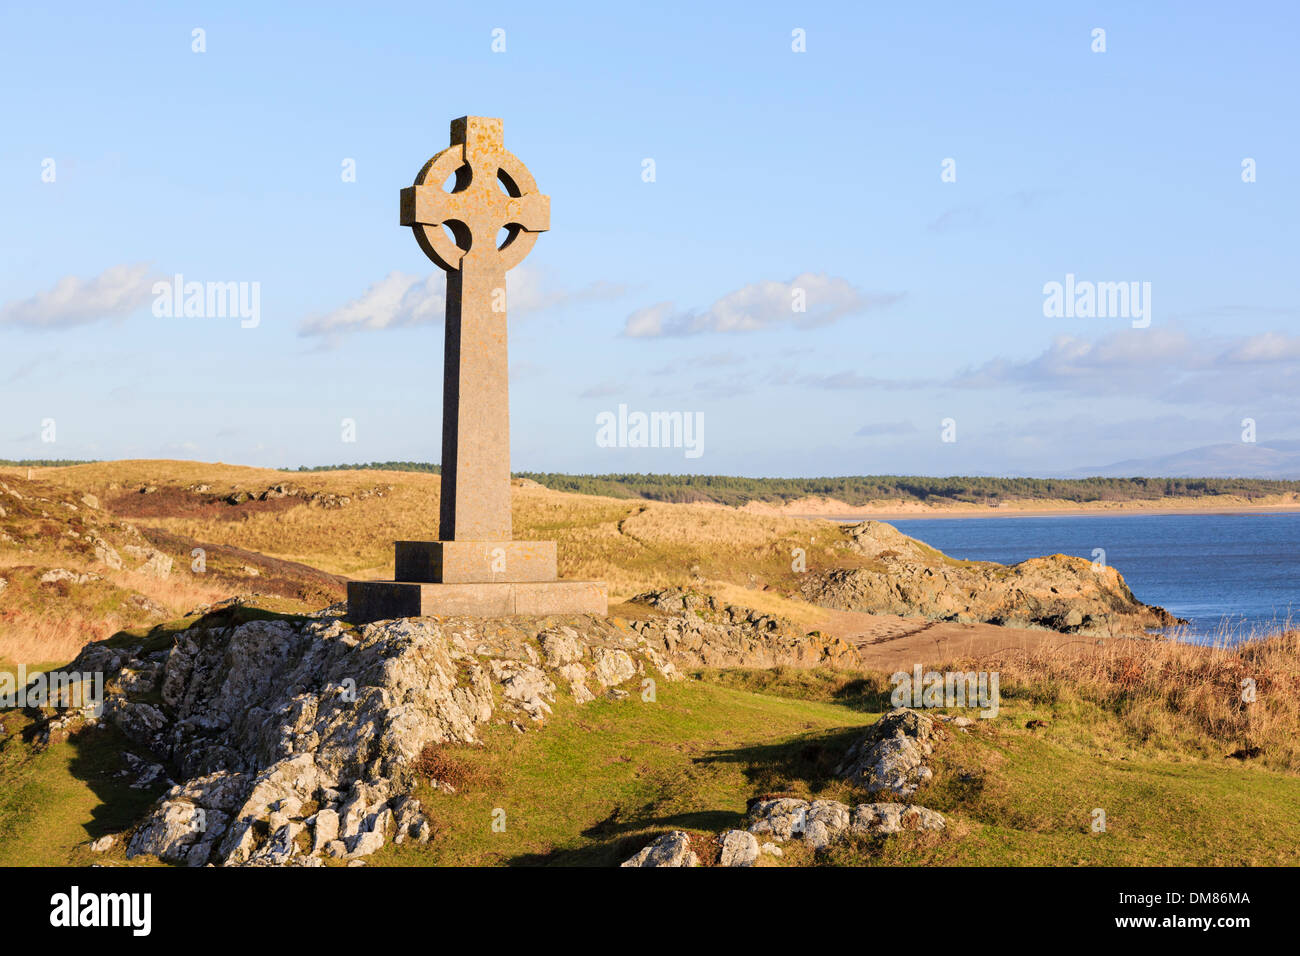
x=296, y=537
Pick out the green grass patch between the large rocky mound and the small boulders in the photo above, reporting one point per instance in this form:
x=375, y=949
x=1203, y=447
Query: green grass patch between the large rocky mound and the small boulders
x=600, y=781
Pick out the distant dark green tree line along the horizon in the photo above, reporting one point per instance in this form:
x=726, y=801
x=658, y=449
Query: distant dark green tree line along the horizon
x=726, y=490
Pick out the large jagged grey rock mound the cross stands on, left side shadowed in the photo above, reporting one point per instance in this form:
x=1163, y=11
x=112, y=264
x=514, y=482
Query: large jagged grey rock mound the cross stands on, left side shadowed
x=293, y=741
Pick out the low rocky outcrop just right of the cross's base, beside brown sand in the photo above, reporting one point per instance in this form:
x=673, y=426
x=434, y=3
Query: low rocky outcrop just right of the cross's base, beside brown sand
x=705, y=633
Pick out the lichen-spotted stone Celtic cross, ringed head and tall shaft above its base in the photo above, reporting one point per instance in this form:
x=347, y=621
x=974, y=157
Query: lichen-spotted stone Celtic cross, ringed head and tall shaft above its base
x=493, y=192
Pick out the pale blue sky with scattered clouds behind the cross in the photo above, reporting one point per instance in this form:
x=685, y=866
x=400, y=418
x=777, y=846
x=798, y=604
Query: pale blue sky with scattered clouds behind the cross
x=775, y=171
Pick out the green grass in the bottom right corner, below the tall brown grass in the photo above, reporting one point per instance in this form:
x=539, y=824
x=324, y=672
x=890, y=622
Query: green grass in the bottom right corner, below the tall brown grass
x=1022, y=798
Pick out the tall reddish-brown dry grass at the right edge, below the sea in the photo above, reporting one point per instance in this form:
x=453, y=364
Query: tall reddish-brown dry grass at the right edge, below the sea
x=1180, y=698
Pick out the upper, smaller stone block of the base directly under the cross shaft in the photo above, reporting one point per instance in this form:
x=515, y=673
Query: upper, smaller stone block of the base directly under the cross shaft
x=475, y=563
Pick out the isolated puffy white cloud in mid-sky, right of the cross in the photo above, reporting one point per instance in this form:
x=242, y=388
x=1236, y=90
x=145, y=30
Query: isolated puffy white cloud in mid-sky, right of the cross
x=760, y=306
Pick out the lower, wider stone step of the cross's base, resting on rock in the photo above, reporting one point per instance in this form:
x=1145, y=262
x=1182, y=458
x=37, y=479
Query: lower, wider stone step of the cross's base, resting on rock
x=371, y=602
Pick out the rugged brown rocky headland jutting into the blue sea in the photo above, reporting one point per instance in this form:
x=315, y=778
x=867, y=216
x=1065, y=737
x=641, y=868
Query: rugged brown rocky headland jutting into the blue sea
x=904, y=577
